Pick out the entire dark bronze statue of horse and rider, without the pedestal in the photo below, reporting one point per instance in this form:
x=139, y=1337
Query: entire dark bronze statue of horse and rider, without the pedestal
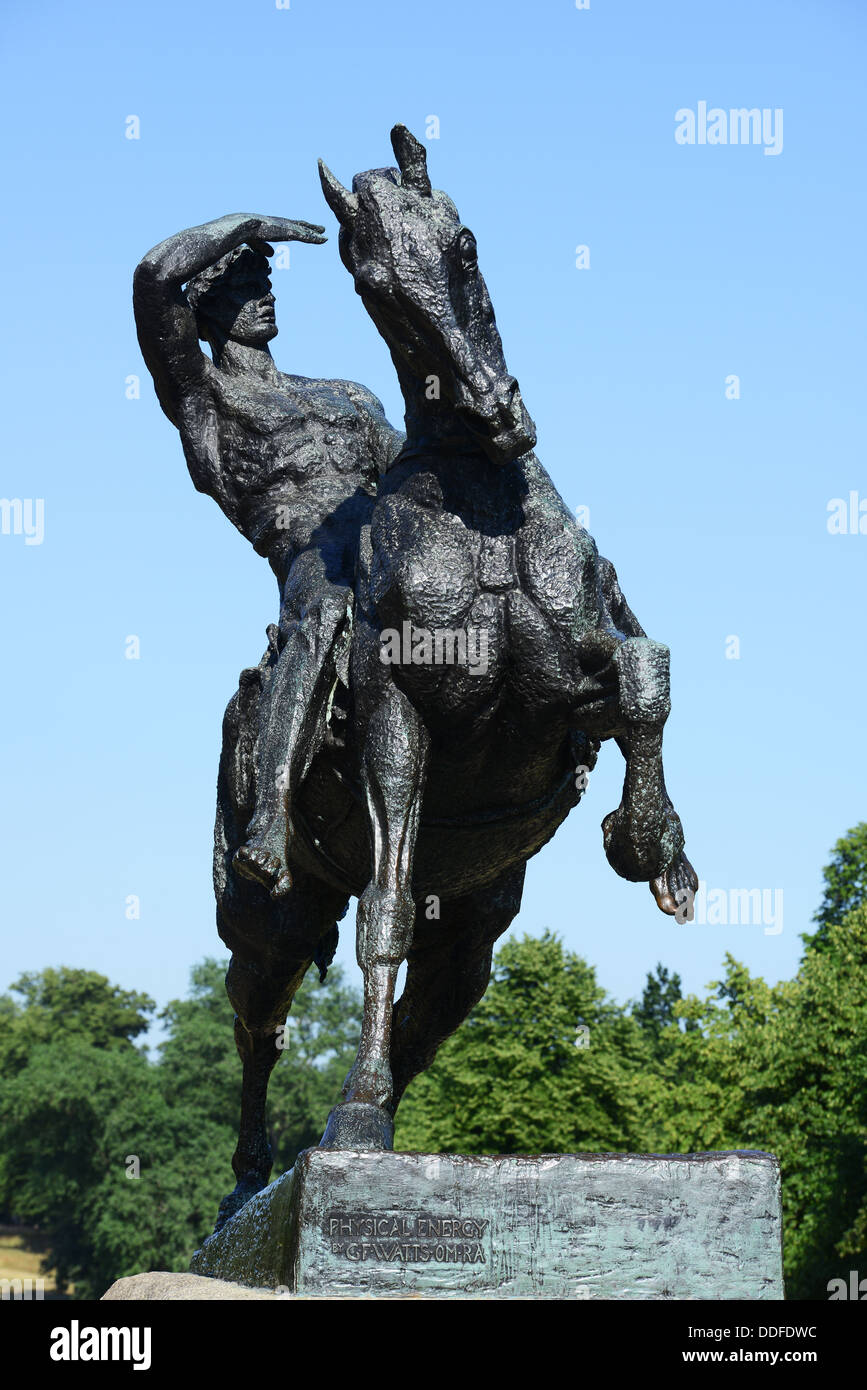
x=451, y=650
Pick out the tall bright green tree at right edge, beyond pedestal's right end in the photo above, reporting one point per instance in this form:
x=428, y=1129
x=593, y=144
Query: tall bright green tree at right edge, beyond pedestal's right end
x=784, y=1070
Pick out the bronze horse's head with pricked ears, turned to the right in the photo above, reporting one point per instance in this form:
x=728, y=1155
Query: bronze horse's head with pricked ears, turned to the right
x=416, y=268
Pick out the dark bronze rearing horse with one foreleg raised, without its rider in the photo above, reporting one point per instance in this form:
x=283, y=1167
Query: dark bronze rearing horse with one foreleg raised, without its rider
x=438, y=778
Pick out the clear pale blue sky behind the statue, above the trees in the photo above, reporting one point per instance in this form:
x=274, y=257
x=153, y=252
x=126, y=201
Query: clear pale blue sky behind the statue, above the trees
x=556, y=130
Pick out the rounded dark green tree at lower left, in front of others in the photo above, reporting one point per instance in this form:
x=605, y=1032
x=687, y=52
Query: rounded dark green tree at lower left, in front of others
x=95, y=1157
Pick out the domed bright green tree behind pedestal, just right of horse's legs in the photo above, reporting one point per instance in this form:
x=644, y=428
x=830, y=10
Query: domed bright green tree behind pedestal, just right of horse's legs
x=545, y=1064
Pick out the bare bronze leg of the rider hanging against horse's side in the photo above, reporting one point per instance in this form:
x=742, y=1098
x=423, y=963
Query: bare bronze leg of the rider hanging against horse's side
x=315, y=619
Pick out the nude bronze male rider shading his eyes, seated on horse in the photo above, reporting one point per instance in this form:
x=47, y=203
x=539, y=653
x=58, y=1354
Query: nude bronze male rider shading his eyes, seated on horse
x=292, y=462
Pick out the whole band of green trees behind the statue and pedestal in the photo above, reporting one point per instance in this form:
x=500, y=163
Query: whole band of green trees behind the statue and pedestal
x=123, y=1159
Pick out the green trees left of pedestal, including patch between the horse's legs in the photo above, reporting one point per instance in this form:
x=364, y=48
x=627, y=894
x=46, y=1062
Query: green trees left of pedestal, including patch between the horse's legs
x=123, y=1161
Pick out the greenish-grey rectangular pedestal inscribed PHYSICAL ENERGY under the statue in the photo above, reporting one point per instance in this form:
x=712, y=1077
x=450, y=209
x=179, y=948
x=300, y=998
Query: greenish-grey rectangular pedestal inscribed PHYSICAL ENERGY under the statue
x=348, y=1224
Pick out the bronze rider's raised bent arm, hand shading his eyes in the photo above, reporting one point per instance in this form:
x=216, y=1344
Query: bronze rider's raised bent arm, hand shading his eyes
x=165, y=322
